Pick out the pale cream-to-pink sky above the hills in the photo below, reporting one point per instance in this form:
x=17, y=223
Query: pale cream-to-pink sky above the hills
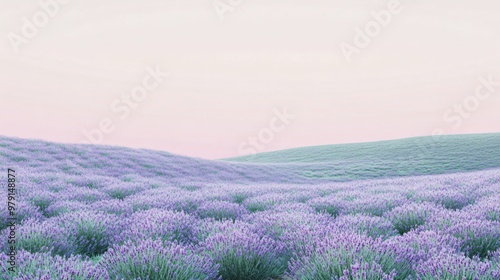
x=227, y=78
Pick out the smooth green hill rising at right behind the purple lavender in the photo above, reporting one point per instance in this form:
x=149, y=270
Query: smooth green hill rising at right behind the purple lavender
x=412, y=156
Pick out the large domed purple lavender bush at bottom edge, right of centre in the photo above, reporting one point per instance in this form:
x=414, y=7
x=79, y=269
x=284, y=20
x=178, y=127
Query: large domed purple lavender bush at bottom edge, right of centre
x=342, y=255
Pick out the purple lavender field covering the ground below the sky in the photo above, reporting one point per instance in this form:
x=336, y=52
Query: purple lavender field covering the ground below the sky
x=99, y=212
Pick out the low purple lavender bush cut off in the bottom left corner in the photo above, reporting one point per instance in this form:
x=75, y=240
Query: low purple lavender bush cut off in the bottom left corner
x=44, y=266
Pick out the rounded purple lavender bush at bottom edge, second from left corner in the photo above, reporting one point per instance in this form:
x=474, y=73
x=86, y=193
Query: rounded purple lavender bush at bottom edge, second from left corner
x=157, y=260
